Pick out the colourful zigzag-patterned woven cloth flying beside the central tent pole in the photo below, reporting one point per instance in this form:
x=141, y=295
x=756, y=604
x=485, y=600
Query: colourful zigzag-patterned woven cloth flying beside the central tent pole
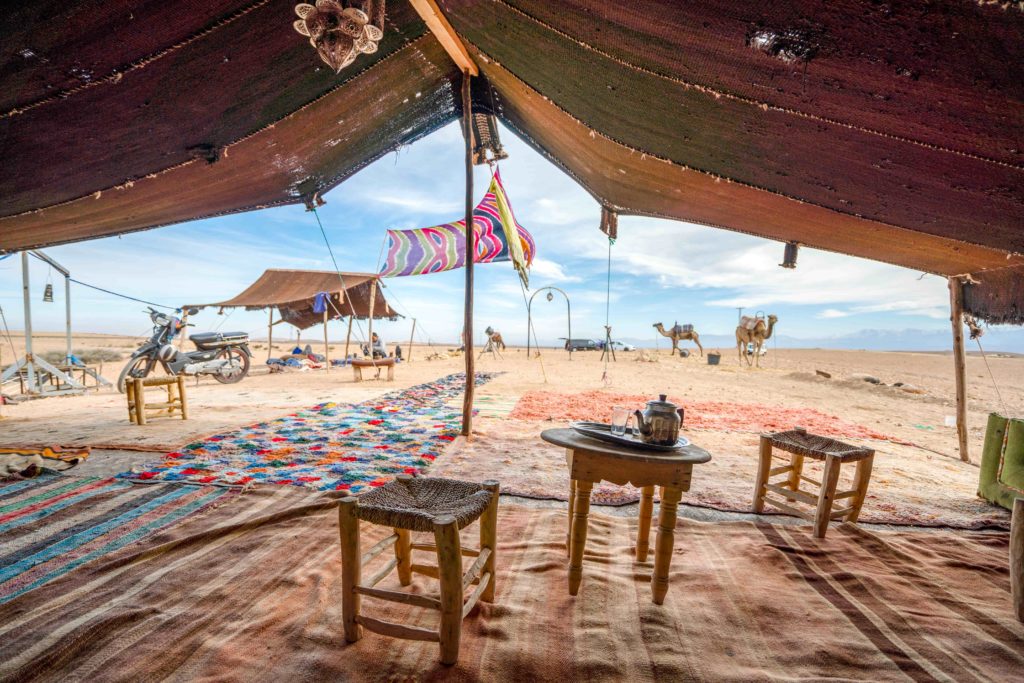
x=443, y=247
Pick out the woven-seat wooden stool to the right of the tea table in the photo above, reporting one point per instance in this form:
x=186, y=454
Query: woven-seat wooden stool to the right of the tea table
x=800, y=445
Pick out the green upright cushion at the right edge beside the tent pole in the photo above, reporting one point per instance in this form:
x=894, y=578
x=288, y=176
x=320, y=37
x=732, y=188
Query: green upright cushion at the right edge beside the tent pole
x=1002, y=477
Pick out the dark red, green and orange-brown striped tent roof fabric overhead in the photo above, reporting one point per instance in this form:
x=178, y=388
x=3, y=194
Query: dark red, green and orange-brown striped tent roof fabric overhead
x=893, y=132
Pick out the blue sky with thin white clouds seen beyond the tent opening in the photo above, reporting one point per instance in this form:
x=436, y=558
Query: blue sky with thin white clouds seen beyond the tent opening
x=662, y=271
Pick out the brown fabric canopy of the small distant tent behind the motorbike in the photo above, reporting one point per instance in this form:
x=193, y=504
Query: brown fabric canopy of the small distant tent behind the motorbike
x=293, y=293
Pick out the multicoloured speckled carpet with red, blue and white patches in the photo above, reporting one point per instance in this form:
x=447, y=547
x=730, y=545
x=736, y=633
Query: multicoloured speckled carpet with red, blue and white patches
x=327, y=448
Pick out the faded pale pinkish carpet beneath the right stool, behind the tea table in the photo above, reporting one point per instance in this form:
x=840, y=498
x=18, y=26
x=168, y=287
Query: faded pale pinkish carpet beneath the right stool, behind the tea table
x=909, y=487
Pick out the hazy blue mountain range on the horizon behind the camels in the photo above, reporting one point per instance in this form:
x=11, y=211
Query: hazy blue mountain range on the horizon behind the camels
x=1003, y=339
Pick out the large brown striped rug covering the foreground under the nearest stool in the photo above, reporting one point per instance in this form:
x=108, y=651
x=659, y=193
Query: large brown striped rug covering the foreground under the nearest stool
x=251, y=592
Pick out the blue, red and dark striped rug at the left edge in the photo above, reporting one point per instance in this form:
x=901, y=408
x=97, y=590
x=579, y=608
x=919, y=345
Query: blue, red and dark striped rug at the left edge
x=53, y=525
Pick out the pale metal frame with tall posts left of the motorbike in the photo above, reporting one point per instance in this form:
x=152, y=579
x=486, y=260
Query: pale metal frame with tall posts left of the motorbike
x=41, y=378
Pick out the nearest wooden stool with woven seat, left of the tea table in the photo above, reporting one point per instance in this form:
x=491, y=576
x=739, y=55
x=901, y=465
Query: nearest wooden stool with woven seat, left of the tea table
x=420, y=504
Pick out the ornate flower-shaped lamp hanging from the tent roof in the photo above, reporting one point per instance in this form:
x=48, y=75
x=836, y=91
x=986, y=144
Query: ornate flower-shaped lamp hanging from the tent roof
x=340, y=34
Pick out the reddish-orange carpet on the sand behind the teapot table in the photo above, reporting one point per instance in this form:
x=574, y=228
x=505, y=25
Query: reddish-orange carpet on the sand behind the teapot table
x=713, y=415
